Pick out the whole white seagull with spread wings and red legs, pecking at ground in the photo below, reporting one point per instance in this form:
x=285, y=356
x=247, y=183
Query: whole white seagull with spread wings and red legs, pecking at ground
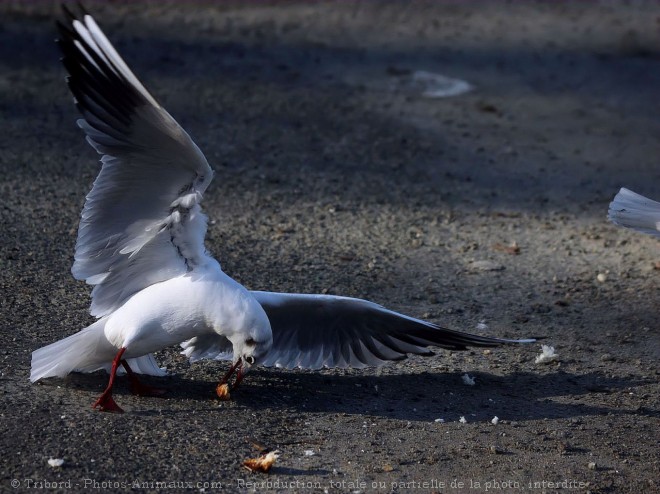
x=141, y=245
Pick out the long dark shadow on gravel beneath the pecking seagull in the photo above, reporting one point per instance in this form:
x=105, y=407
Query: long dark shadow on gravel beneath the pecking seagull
x=423, y=397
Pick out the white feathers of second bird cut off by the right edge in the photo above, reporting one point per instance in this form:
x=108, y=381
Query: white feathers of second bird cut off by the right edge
x=631, y=210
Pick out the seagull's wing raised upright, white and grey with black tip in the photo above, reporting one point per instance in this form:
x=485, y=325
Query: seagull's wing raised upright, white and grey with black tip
x=142, y=222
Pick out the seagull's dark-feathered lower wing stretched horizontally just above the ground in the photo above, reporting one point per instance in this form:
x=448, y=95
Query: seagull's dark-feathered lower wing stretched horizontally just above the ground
x=315, y=331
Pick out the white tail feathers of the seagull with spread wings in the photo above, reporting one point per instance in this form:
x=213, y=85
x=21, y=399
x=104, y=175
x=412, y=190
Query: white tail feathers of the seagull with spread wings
x=86, y=351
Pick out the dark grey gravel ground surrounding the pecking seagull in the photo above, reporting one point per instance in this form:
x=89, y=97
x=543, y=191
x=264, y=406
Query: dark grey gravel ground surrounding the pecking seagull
x=334, y=173
